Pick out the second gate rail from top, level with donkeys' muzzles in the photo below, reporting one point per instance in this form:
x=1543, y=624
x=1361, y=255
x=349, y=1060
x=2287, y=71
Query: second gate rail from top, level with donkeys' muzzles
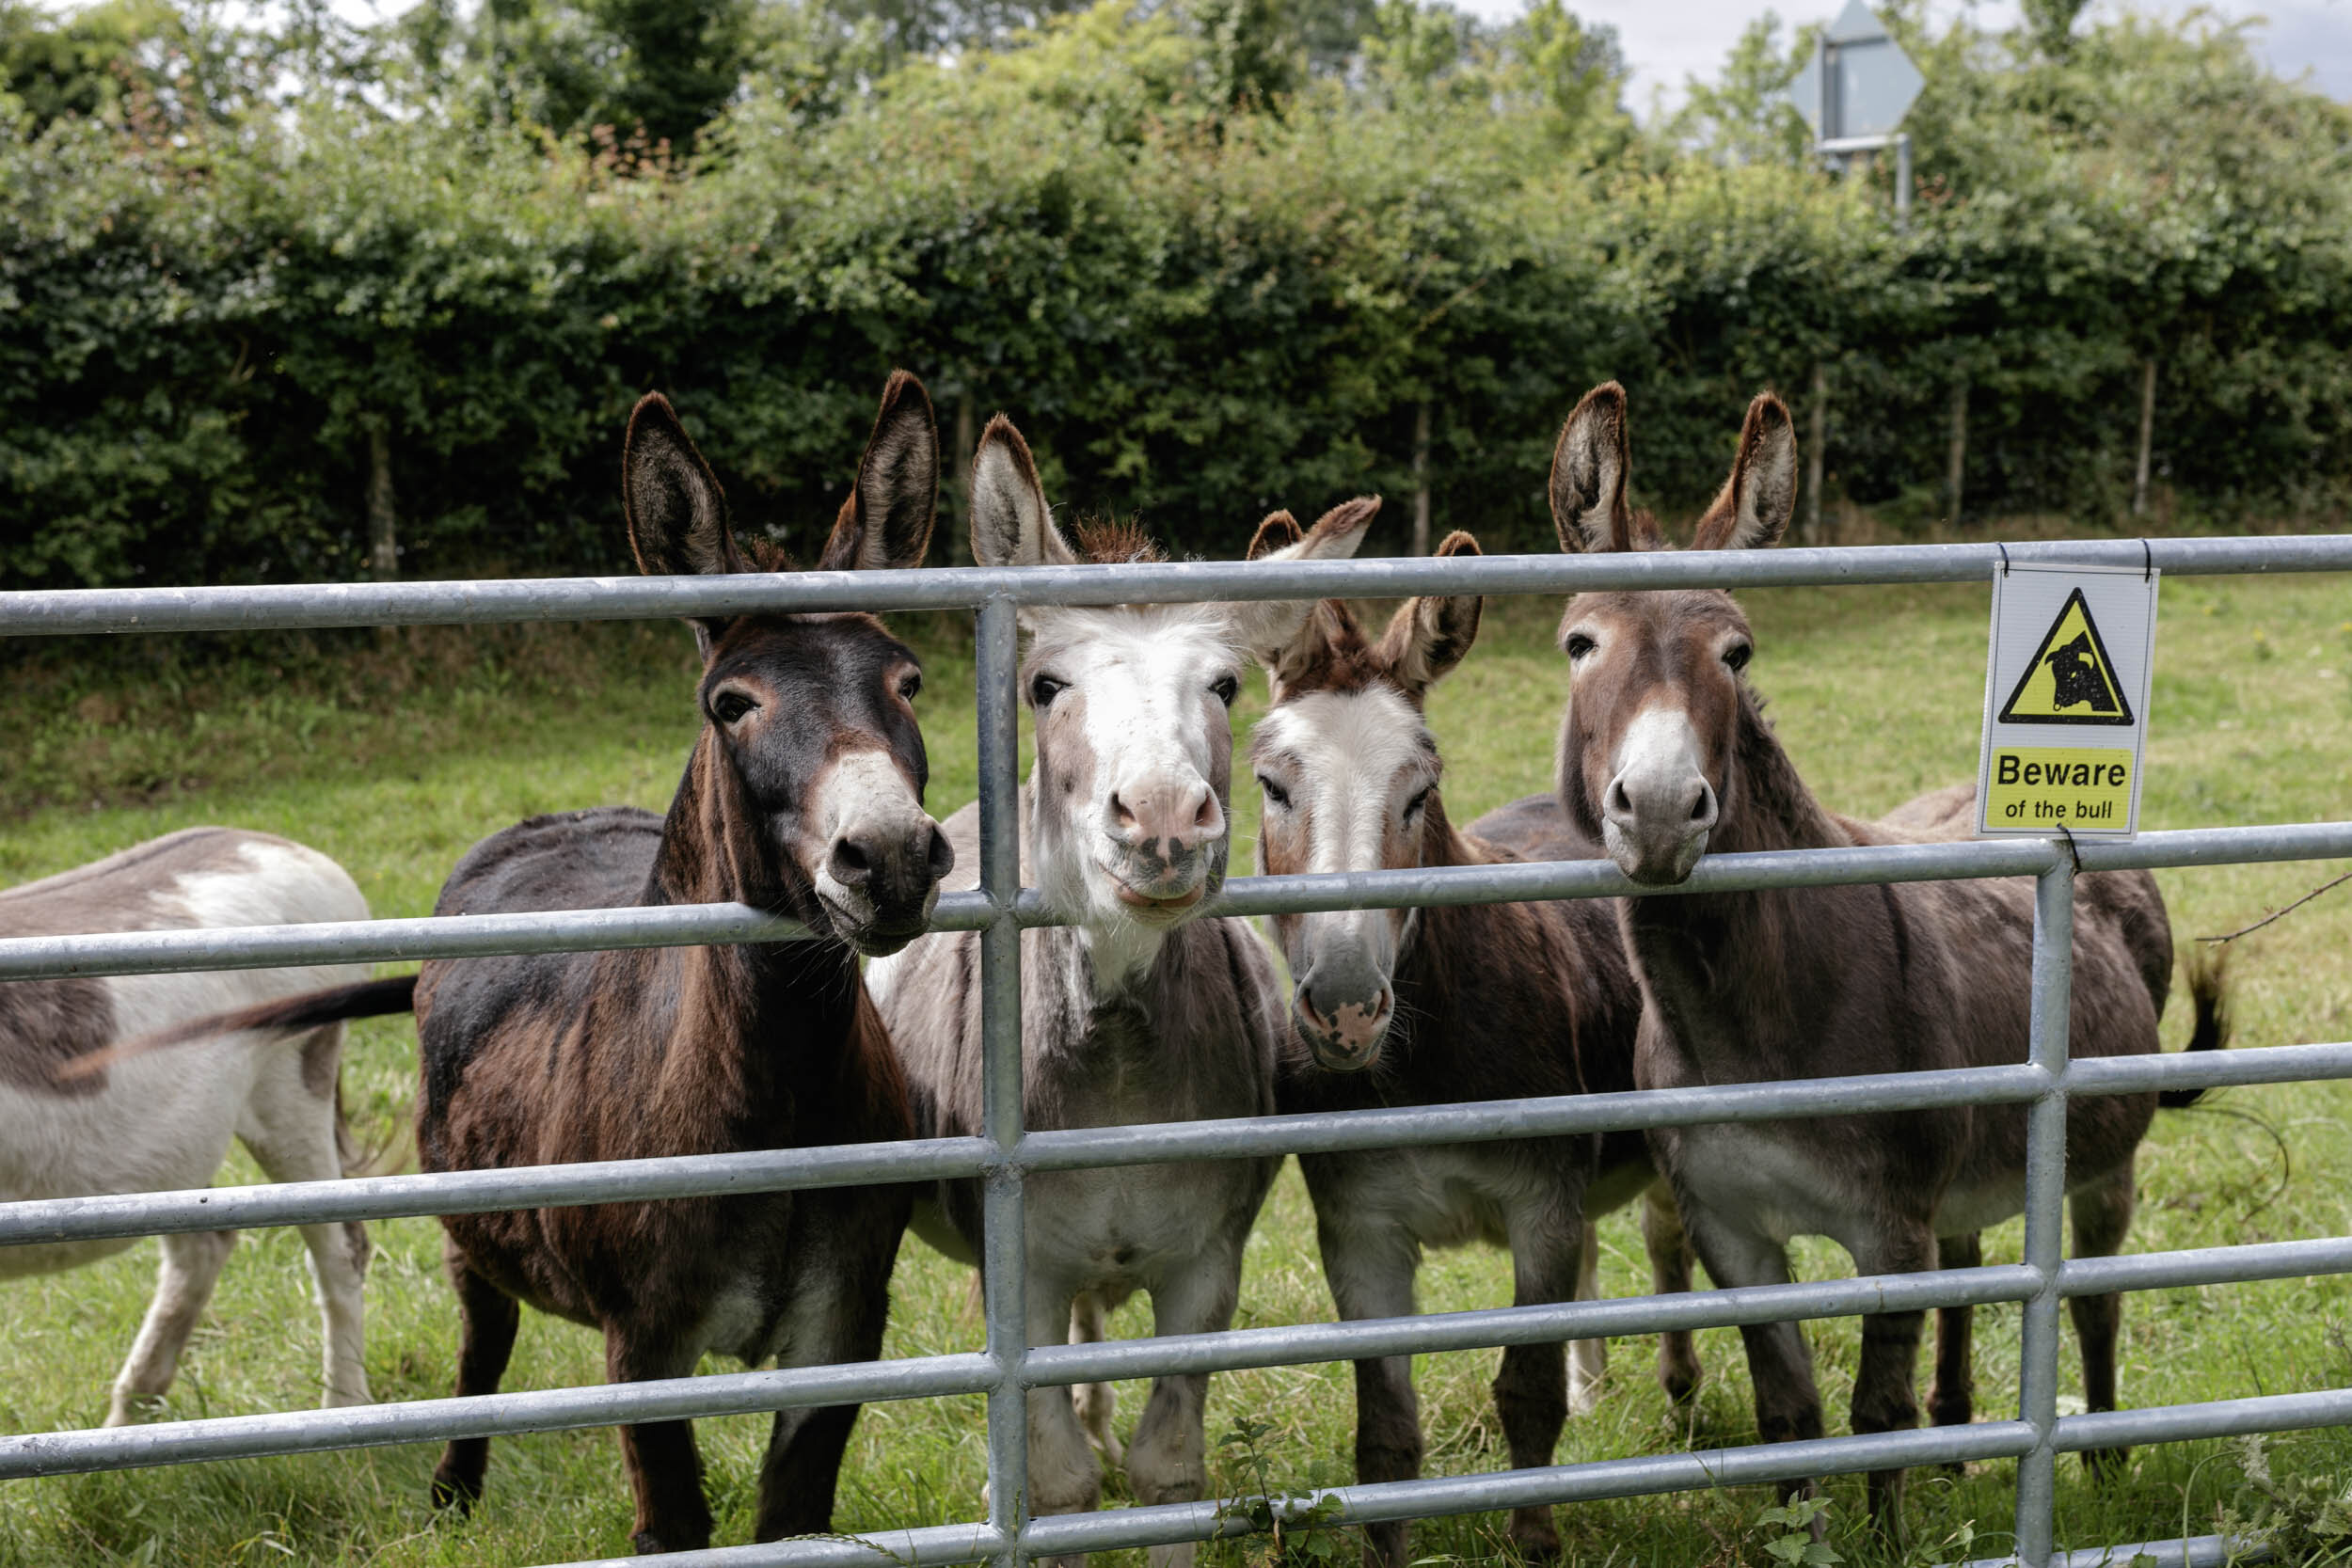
x=389, y=942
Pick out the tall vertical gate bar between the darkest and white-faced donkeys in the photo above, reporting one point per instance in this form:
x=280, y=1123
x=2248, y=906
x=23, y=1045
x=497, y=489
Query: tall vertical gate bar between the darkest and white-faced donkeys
x=1003, y=1254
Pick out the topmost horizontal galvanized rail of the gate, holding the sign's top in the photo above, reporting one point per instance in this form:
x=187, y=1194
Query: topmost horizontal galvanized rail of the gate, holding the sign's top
x=48, y=612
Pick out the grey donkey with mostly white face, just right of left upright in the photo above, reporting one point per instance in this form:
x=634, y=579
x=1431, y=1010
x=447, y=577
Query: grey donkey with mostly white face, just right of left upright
x=1135, y=1012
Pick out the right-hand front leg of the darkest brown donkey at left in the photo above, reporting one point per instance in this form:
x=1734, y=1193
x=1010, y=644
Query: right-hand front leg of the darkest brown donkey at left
x=843, y=1249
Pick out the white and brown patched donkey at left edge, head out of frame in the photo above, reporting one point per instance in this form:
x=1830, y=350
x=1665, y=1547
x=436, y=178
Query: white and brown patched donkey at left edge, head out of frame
x=81, y=1125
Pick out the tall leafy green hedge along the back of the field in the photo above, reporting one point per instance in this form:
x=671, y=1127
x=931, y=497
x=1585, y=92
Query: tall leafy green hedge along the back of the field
x=1196, y=304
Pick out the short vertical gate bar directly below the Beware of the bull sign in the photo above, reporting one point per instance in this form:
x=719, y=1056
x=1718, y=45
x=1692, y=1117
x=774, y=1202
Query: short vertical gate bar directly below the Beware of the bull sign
x=2045, y=1212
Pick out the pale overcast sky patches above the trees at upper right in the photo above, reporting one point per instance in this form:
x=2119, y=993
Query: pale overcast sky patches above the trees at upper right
x=1669, y=41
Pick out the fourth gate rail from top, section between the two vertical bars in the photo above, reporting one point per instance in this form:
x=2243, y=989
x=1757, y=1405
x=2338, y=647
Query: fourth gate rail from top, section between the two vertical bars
x=1546, y=1325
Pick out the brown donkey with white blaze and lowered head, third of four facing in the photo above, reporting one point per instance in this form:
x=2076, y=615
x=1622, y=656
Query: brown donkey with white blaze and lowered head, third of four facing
x=1429, y=1007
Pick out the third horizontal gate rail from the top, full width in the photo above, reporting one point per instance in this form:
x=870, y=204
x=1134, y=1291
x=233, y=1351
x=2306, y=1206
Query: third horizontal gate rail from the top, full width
x=382, y=1198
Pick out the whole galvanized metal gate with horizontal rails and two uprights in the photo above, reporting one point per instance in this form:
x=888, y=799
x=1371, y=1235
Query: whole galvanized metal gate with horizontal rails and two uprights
x=1005, y=1155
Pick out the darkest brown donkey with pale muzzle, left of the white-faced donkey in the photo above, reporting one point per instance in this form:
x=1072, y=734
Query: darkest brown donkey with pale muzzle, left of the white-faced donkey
x=803, y=798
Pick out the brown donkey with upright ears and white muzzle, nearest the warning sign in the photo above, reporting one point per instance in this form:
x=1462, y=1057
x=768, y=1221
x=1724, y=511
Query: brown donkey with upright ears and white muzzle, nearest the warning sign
x=1666, y=756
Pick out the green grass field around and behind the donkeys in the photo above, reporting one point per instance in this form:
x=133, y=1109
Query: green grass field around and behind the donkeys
x=396, y=753
